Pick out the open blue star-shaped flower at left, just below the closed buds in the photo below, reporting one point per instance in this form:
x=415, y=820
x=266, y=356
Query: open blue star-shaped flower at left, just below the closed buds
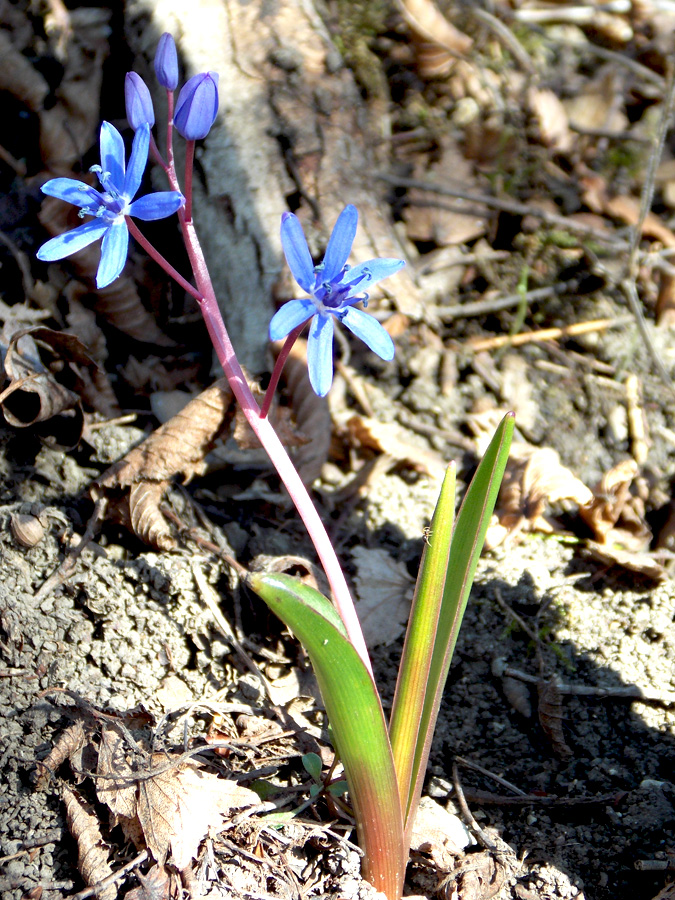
x=109, y=206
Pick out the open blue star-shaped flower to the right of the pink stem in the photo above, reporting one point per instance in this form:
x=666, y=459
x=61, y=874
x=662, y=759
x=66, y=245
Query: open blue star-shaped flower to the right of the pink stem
x=334, y=287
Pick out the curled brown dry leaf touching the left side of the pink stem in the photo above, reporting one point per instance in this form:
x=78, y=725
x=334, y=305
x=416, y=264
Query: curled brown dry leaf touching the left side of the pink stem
x=135, y=484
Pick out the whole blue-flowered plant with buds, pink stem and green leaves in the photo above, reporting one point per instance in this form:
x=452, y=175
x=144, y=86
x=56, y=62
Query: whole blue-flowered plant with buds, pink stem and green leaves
x=384, y=762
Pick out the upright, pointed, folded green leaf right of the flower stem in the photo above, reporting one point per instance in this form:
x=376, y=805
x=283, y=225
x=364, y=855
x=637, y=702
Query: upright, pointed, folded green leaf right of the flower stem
x=440, y=603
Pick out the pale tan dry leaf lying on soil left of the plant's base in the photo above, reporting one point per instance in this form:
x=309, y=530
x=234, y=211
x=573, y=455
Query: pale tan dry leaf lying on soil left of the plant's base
x=177, y=808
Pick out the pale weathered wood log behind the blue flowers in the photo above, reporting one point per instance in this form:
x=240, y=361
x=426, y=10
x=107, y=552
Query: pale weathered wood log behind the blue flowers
x=292, y=133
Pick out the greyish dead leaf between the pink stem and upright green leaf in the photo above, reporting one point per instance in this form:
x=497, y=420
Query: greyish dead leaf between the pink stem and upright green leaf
x=384, y=590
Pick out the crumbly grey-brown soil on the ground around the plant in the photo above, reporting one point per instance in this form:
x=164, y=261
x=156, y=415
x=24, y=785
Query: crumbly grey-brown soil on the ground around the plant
x=553, y=642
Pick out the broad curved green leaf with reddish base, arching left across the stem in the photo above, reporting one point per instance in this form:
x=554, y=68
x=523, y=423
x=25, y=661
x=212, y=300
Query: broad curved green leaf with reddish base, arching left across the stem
x=357, y=723
